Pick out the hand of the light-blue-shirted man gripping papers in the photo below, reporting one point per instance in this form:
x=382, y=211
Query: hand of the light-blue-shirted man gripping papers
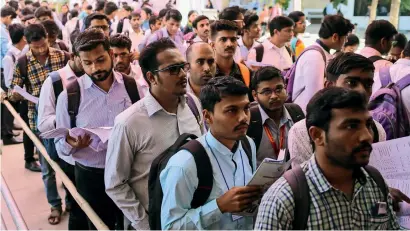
x=238, y=198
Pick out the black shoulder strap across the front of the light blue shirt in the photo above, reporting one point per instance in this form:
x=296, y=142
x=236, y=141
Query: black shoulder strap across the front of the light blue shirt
x=204, y=171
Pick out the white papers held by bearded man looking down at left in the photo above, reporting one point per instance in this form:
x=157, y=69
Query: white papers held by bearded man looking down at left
x=99, y=136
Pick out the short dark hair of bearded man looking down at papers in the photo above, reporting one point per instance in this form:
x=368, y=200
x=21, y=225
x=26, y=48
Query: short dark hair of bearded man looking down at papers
x=90, y=39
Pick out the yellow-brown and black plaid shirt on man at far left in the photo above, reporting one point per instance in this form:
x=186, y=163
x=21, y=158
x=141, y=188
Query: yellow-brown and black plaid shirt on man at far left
x=37, y=73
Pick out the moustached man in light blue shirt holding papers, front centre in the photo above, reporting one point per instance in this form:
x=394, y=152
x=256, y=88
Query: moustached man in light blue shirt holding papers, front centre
x=226, y=110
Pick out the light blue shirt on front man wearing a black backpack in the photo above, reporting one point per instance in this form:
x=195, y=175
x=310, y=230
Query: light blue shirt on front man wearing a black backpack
x=179, y=181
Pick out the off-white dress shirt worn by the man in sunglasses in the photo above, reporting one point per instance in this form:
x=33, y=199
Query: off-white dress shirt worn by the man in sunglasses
x=140, y=134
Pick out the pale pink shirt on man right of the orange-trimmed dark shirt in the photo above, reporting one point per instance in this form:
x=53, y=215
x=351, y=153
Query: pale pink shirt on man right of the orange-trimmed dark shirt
x=273, y=55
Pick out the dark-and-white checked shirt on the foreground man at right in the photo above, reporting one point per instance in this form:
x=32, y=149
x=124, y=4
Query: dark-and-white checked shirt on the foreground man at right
x=329, y=207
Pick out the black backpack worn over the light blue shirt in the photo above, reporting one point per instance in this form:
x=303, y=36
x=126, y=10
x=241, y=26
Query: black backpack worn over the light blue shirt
x=204, y=171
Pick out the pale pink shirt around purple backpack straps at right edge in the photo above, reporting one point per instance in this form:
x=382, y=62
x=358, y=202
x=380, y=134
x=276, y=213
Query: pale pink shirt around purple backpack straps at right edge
x=399, y=70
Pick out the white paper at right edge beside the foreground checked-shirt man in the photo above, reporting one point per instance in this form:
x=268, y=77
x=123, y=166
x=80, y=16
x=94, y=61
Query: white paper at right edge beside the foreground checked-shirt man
x=392, y=158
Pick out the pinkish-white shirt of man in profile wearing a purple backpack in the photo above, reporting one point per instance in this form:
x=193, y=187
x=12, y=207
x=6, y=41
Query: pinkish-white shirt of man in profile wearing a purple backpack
x=309, y=76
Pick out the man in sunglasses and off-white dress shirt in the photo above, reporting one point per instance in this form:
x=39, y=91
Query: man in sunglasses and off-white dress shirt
x=147, y=129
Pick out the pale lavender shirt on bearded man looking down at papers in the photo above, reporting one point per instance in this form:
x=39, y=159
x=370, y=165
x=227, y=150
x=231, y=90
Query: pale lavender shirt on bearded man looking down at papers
x=97, y=109
